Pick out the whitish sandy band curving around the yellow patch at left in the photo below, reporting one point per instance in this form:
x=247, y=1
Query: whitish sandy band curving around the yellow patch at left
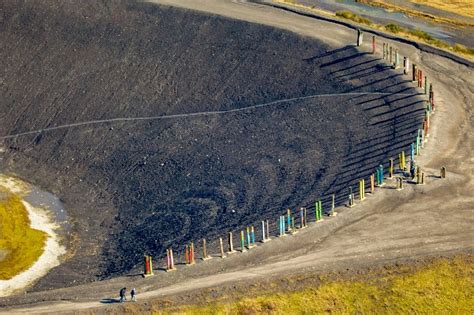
x=40, y=220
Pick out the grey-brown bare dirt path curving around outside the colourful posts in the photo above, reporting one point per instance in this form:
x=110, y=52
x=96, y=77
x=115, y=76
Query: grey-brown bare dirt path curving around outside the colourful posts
x=430, y=220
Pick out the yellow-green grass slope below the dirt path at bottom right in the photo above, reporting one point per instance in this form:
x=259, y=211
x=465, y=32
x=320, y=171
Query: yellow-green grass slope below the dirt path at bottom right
x=441, y=287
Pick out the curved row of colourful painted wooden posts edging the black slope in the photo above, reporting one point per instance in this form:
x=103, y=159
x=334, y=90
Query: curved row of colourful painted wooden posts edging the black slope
x=287, y=222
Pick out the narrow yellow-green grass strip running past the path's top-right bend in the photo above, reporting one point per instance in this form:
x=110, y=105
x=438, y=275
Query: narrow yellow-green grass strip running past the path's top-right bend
x=413, y=34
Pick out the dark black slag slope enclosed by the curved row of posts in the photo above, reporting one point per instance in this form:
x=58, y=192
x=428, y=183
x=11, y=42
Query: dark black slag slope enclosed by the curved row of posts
x=141, y=186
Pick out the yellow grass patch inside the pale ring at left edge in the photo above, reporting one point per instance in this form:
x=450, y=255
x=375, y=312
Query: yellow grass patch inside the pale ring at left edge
x=22, y=244
